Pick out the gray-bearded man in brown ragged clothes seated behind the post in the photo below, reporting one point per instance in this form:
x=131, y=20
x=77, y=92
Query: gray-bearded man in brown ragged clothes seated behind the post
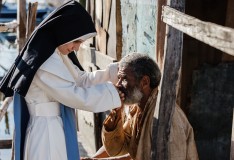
x=127, y=130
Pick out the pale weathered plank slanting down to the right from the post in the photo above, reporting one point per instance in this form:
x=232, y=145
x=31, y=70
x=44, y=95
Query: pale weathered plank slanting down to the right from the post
x=217, y=36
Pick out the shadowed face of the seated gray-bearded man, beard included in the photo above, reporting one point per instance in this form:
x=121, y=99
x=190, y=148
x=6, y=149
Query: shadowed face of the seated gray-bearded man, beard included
x=129, y=86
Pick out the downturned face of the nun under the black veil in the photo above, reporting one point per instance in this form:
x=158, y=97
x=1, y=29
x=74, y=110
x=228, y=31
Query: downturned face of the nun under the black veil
x=69, y=47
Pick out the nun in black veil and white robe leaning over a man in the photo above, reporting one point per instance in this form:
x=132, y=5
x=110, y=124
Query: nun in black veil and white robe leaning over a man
x=47, y=83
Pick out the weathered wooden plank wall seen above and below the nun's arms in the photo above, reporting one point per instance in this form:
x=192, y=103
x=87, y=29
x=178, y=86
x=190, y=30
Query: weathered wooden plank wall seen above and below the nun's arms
x=104, y=49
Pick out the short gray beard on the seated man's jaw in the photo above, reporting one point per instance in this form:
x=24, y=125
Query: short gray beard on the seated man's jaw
x=133, y=97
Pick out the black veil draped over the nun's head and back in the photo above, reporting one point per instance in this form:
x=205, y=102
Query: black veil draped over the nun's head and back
x=68, y=22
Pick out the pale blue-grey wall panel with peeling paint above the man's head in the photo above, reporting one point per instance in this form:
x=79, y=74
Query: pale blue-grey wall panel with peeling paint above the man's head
x=139, y=26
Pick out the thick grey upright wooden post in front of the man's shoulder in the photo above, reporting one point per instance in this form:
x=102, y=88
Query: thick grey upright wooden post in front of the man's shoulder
x=168, y=87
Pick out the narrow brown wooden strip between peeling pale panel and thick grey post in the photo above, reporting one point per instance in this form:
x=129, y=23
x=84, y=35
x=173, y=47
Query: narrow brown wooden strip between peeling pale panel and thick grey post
x=160, y=34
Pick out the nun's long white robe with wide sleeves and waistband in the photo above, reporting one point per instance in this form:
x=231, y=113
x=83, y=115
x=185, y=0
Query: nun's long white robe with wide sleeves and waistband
x=58, y=80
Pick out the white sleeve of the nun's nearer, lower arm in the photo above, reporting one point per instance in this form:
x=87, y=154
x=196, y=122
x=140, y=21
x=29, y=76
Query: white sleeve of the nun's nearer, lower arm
x=97, y=98
